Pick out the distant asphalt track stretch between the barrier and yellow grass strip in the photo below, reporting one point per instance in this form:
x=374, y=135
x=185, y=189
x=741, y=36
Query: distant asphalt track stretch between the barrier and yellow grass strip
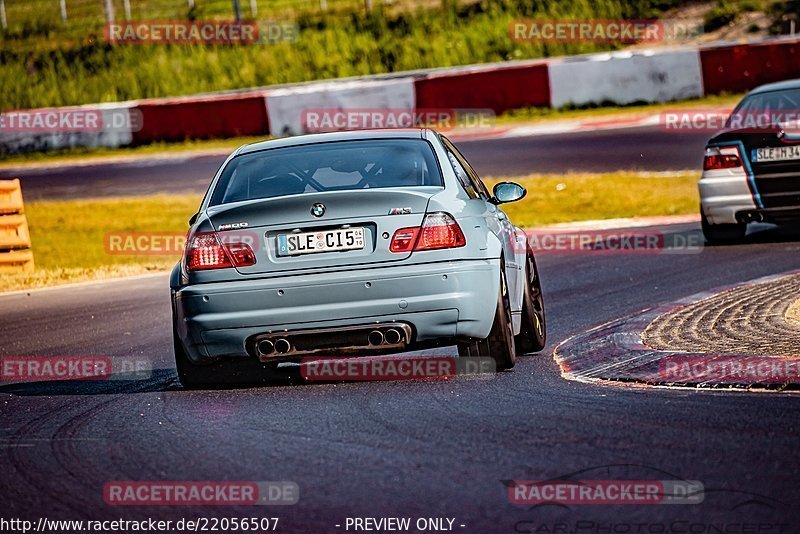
x=646, y=148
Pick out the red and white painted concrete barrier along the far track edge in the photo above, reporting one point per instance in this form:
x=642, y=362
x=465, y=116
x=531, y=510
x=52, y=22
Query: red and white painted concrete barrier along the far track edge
x=620, y=77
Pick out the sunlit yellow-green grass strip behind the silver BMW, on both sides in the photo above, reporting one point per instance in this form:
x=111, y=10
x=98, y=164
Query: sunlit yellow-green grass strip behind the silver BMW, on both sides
x=69, y=236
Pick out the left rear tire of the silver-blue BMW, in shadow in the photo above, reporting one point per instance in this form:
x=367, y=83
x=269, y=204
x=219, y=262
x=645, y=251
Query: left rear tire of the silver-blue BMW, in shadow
x=220, y=373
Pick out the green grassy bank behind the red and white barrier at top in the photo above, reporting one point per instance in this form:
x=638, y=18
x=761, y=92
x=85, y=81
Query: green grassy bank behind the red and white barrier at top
x=47, y=64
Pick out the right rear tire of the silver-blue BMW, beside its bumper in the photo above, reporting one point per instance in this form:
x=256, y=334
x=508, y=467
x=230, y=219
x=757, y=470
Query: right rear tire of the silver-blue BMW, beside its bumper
x=500, y=344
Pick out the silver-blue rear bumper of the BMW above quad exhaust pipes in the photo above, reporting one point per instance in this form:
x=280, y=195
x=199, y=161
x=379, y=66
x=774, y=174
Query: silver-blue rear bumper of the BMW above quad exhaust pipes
x=438, y=300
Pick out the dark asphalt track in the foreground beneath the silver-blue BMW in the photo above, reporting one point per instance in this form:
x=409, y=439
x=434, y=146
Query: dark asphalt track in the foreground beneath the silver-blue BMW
x=410, y=449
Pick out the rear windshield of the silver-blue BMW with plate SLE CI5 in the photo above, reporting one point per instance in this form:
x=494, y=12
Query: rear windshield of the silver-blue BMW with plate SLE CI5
x=334, y=166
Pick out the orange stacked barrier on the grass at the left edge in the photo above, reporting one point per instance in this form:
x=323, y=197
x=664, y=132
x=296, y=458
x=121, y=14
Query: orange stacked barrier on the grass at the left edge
x=15, y=240
